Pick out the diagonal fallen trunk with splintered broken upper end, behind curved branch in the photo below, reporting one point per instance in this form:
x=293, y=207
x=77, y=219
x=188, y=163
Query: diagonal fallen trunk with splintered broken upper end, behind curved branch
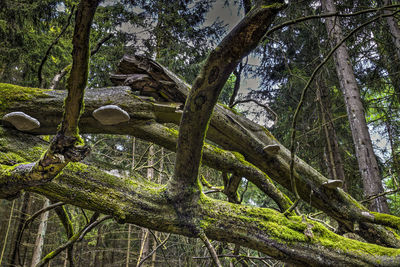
x=234, y=132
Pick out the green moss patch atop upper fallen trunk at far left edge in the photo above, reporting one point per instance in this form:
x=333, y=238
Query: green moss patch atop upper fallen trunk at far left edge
x=13, y=93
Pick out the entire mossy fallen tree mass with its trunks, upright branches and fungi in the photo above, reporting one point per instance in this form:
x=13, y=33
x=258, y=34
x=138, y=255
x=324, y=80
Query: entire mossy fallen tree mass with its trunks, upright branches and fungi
x=209, y=134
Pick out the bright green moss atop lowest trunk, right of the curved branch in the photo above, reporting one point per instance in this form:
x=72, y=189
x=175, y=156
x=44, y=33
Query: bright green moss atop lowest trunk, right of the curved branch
x=287, y=229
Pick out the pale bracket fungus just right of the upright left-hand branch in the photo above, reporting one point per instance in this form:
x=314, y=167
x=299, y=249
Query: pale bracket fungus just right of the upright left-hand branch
x=111, y=115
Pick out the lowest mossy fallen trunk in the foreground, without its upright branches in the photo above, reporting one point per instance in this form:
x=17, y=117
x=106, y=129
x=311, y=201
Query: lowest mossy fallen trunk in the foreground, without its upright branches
x=129, y=200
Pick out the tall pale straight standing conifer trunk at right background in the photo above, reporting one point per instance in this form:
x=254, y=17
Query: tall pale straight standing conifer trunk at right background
x=367, y=163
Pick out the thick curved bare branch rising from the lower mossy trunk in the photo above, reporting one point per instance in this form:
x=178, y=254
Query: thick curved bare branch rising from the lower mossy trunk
x=206, y=88
